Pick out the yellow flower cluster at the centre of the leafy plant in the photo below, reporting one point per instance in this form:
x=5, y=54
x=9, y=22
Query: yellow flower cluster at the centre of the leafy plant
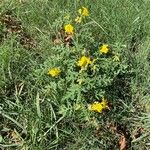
x=84, y=62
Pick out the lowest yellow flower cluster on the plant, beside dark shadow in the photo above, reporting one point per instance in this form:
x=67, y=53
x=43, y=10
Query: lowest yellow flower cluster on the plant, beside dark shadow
x=98, y=106
